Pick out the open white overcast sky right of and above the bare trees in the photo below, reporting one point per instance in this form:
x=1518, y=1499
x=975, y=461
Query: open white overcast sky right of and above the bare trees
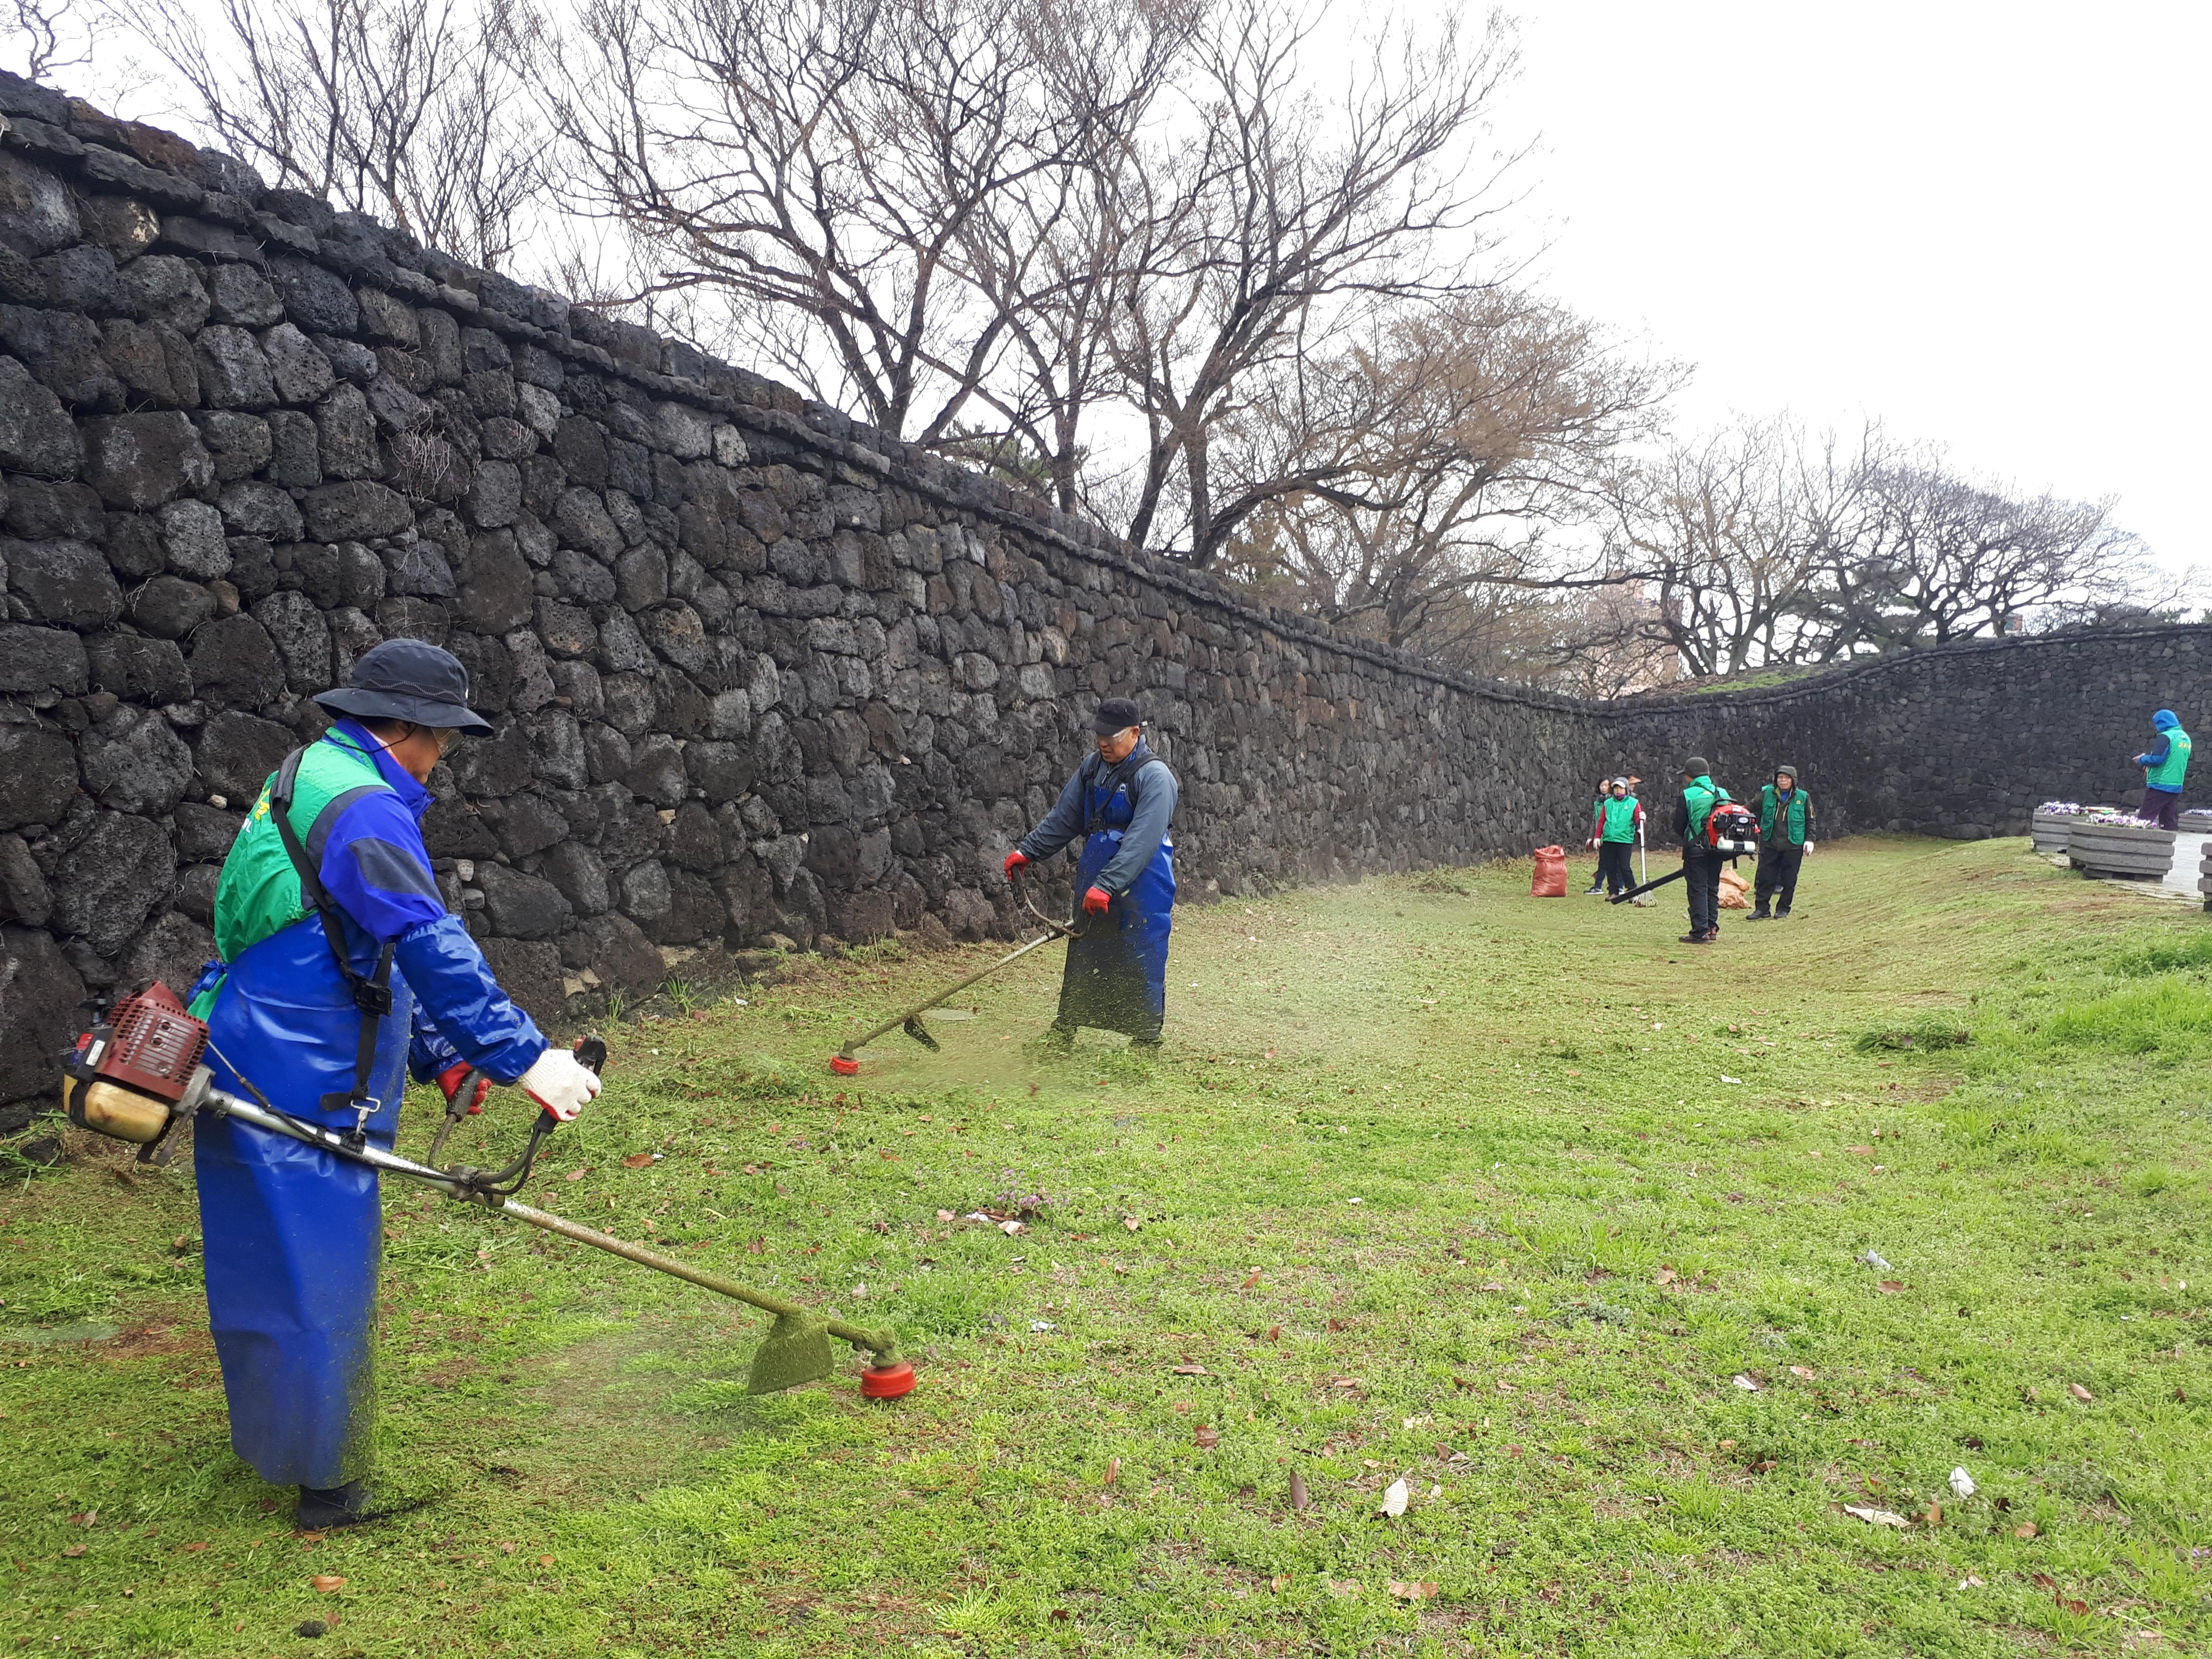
x=1981, y=222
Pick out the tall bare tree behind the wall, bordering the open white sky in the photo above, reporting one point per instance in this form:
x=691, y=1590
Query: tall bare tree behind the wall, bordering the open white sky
x=1277, y=231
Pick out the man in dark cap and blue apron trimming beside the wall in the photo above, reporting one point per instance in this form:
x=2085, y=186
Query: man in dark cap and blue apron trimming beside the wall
x=1120, y=804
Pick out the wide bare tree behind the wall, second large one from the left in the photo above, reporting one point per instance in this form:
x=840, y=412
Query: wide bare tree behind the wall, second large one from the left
x=817, y=167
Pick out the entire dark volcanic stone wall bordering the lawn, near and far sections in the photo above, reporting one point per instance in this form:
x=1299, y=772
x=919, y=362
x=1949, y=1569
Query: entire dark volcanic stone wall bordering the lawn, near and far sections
x=760, y=676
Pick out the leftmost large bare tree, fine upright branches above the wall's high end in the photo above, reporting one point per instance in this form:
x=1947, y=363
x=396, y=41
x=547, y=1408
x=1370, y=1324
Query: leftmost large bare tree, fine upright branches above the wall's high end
x=401, y=109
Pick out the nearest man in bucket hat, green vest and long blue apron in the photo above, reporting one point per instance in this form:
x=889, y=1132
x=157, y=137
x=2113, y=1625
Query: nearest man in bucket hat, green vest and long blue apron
x=340, y=966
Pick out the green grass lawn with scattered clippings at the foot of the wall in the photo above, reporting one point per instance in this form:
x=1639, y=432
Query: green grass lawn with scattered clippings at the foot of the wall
x=1640, y=1266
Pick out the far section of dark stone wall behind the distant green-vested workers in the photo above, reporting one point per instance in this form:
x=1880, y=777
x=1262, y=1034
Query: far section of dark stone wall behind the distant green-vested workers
x=1954, y=742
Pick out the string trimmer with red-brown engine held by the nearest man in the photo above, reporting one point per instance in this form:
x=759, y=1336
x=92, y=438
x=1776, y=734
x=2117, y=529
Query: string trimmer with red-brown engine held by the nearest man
x=140, y=1081
